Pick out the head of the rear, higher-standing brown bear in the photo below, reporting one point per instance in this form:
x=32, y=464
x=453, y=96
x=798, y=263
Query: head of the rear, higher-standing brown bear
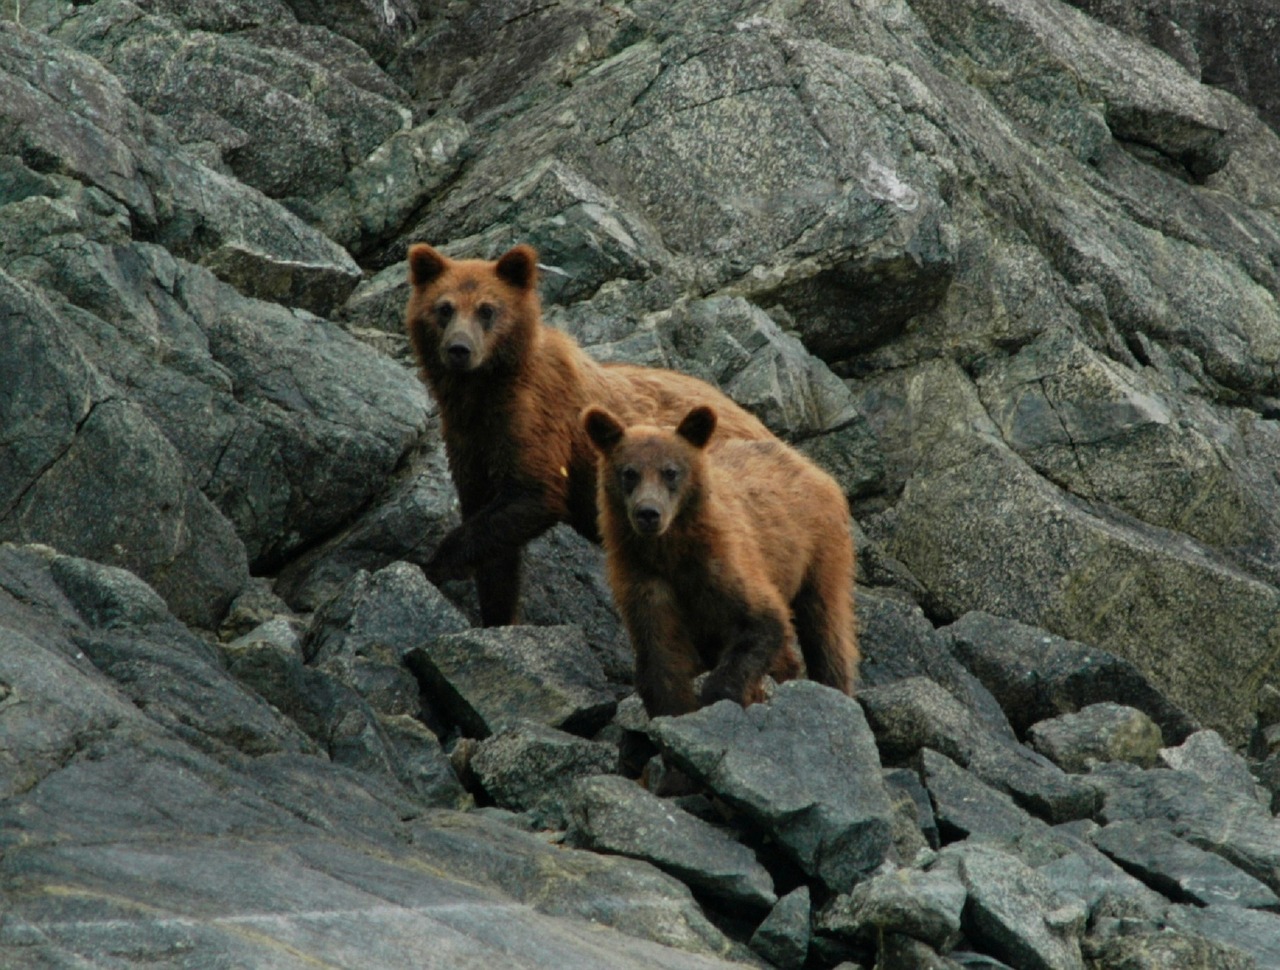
x=472, y=315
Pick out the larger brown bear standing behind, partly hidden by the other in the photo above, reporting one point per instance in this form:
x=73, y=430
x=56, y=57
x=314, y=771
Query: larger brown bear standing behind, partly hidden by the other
x=510, y=392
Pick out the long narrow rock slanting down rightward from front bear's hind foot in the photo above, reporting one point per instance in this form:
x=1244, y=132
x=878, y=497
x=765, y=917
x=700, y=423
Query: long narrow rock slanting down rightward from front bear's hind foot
x=917, y=713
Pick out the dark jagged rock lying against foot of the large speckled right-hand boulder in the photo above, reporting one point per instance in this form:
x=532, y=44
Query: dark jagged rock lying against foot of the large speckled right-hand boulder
x=1037, y=676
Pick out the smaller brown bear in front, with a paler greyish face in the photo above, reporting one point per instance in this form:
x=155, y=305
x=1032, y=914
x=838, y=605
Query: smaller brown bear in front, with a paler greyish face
x=712, y=552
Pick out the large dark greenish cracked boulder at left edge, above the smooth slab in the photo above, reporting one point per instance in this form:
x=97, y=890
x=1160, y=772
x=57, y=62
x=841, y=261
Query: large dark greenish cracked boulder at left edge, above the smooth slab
x=67, y=427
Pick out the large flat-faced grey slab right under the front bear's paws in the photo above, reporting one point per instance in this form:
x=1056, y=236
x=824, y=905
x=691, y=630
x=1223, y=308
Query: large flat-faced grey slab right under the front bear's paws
x=803, y=767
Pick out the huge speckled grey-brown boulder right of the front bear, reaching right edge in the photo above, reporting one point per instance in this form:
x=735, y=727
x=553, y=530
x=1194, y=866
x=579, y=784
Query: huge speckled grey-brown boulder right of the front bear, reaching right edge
x=958, y=555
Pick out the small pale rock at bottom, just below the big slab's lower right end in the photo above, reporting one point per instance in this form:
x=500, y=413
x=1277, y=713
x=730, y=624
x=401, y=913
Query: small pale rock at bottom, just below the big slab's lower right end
x=925, y=905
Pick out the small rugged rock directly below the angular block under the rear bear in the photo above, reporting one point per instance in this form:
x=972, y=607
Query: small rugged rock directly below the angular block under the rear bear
x=531, y=767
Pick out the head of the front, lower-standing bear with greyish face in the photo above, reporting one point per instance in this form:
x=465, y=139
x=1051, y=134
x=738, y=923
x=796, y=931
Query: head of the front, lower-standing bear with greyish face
x=651, y=475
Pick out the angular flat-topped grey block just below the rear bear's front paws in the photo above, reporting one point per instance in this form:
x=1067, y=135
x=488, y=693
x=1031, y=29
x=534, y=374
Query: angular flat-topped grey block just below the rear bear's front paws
x=483, y=680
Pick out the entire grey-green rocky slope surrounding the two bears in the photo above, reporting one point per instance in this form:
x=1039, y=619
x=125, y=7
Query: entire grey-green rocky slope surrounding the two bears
x=1008, y=268
